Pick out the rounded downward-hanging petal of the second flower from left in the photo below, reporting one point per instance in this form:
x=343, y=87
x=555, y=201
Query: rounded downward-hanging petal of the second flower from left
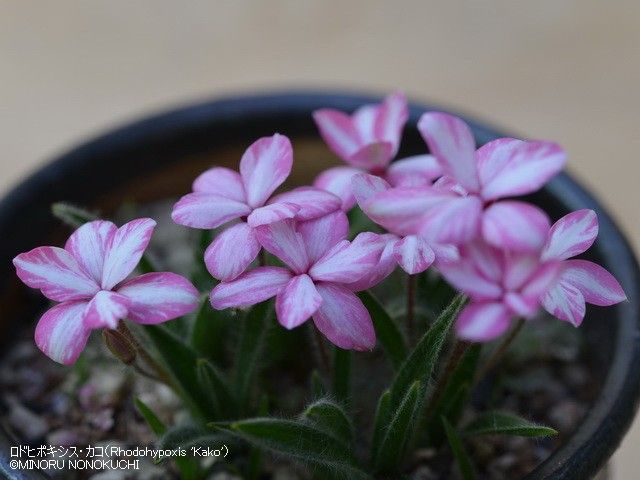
x=231, y=252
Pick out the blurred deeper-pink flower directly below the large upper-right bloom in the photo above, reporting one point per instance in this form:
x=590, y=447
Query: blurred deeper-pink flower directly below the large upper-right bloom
x=500, y=284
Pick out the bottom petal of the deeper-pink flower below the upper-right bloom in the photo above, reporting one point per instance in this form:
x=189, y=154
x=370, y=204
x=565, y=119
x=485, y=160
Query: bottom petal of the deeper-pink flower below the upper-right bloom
x=482, y=322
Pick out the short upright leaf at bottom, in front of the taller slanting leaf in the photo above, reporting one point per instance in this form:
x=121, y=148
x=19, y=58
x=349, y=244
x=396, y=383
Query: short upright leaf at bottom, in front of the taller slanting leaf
x=398, y=432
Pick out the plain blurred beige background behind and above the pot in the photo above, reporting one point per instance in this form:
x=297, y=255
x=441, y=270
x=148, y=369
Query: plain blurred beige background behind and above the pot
x=566, y=70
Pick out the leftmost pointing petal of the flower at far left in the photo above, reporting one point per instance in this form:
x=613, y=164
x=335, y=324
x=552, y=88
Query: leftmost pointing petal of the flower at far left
x=56, y=273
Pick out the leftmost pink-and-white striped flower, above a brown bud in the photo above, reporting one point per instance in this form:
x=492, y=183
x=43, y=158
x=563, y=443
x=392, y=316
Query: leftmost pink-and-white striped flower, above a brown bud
x=88, y=278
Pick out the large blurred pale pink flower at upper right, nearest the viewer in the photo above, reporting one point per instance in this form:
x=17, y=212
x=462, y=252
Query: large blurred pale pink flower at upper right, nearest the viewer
x=502, y=168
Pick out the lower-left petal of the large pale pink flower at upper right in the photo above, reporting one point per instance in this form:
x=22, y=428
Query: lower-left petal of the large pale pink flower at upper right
x=456, y=220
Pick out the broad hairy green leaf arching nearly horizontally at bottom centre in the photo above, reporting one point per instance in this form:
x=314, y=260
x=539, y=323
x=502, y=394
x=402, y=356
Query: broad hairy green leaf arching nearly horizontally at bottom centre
x=299, y=441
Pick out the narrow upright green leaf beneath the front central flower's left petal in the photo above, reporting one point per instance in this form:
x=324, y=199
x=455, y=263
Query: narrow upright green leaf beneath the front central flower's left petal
x=249, y=350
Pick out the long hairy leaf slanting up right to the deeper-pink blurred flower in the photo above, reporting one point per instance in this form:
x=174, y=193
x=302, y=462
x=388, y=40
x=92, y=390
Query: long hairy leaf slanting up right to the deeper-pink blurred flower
x=420, y=364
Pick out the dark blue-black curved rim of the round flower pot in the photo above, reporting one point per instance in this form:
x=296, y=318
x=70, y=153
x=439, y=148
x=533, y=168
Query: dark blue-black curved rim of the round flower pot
x=611, y=413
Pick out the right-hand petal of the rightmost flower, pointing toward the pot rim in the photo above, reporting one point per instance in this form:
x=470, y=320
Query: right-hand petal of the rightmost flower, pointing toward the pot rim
x=596, y=284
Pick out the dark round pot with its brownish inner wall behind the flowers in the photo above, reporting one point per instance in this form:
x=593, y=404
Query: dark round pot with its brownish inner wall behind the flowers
x=159, y=156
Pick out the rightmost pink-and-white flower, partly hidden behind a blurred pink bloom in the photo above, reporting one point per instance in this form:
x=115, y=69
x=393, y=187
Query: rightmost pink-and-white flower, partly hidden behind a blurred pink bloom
x=580, y=281
